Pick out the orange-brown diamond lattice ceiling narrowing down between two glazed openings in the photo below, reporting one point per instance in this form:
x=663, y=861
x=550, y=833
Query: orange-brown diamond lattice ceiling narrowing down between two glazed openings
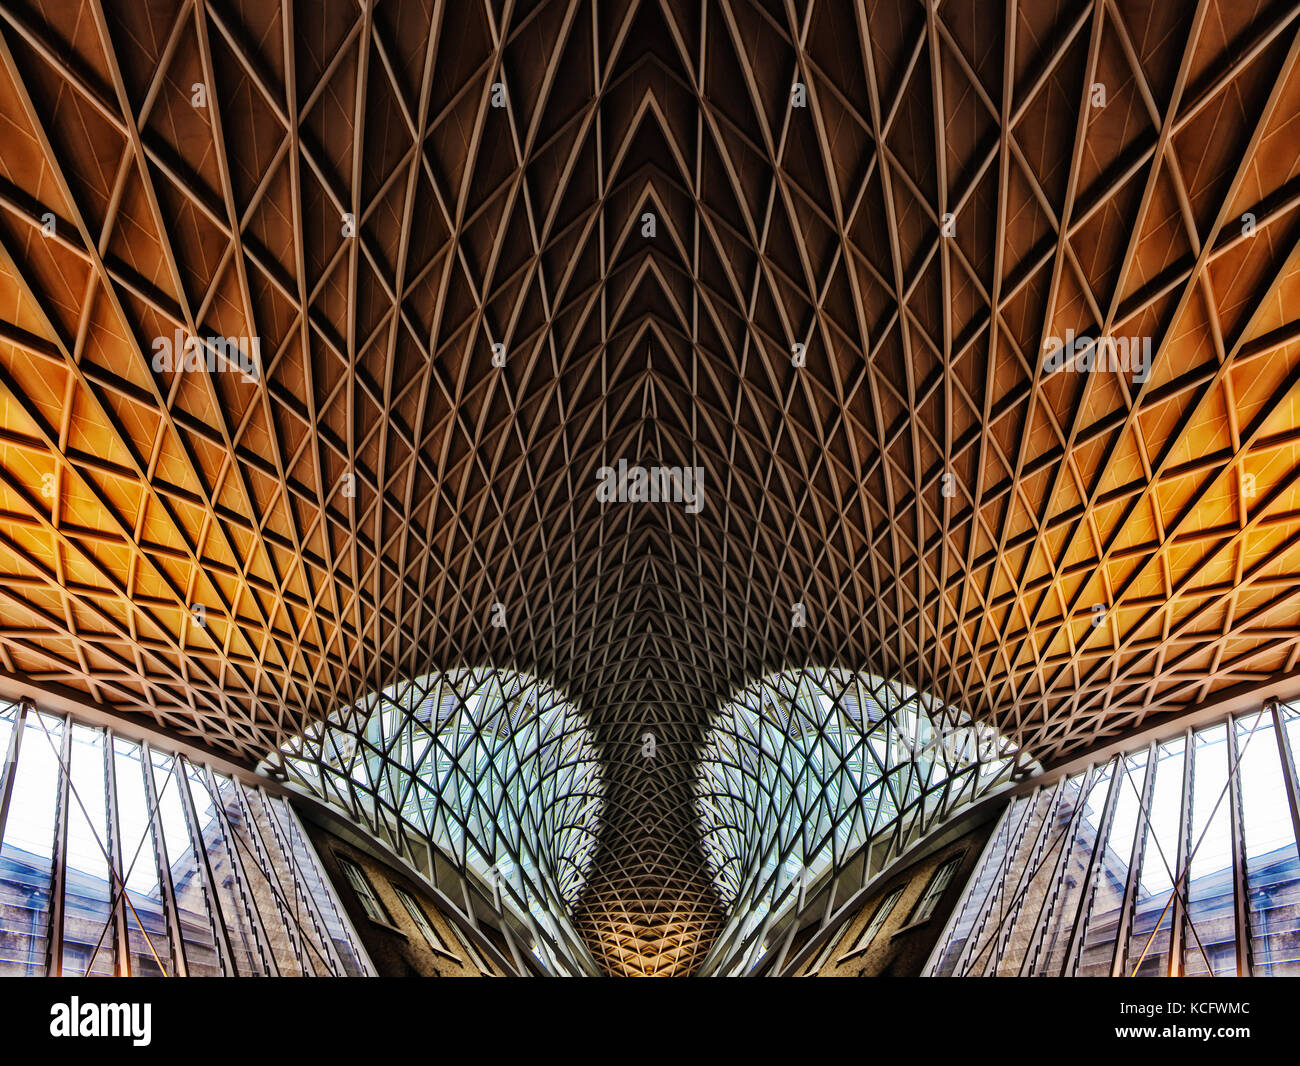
x=333, y=181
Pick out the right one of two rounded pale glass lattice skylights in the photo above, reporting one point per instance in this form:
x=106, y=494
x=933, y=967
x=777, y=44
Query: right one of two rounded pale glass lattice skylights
x=807, y=768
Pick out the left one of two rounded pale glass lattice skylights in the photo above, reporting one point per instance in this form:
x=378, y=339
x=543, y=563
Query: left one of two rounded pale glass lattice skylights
x=495, y=770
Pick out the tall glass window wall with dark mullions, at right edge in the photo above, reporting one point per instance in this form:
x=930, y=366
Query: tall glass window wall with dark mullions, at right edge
x=1175, y=860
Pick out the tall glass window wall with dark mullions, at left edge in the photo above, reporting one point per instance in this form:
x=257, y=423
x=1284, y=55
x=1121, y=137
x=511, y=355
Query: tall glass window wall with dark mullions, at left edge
x=120, y=859
